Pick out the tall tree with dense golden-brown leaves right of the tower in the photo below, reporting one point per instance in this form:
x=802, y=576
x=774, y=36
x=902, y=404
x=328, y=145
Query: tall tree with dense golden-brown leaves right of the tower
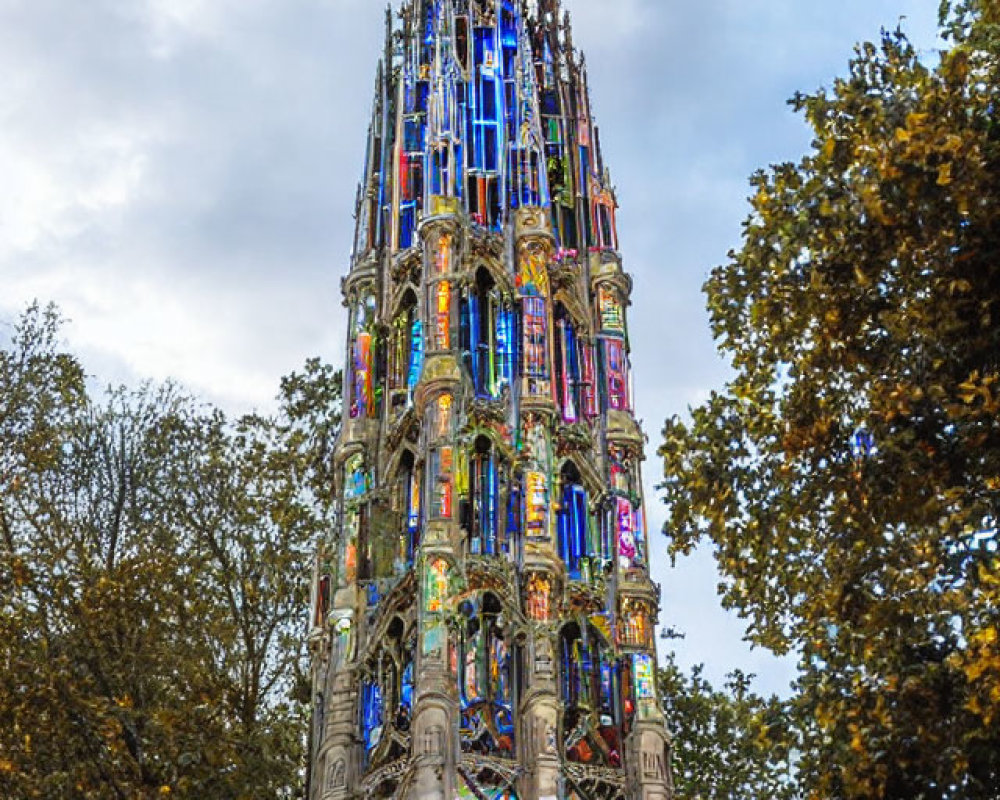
x=849, y=474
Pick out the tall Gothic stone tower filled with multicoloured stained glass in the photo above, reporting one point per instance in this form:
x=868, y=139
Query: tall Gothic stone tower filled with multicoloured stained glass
x=483, y=613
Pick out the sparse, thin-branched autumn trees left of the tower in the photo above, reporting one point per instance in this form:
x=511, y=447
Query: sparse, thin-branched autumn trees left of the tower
x=153, y=570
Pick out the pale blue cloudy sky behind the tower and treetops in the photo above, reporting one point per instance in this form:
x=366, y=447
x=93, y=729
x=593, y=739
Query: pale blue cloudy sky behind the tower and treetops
x=178, y=175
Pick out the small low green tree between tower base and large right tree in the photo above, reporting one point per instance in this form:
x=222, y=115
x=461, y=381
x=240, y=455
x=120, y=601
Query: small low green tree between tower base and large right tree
x=727, y=745
